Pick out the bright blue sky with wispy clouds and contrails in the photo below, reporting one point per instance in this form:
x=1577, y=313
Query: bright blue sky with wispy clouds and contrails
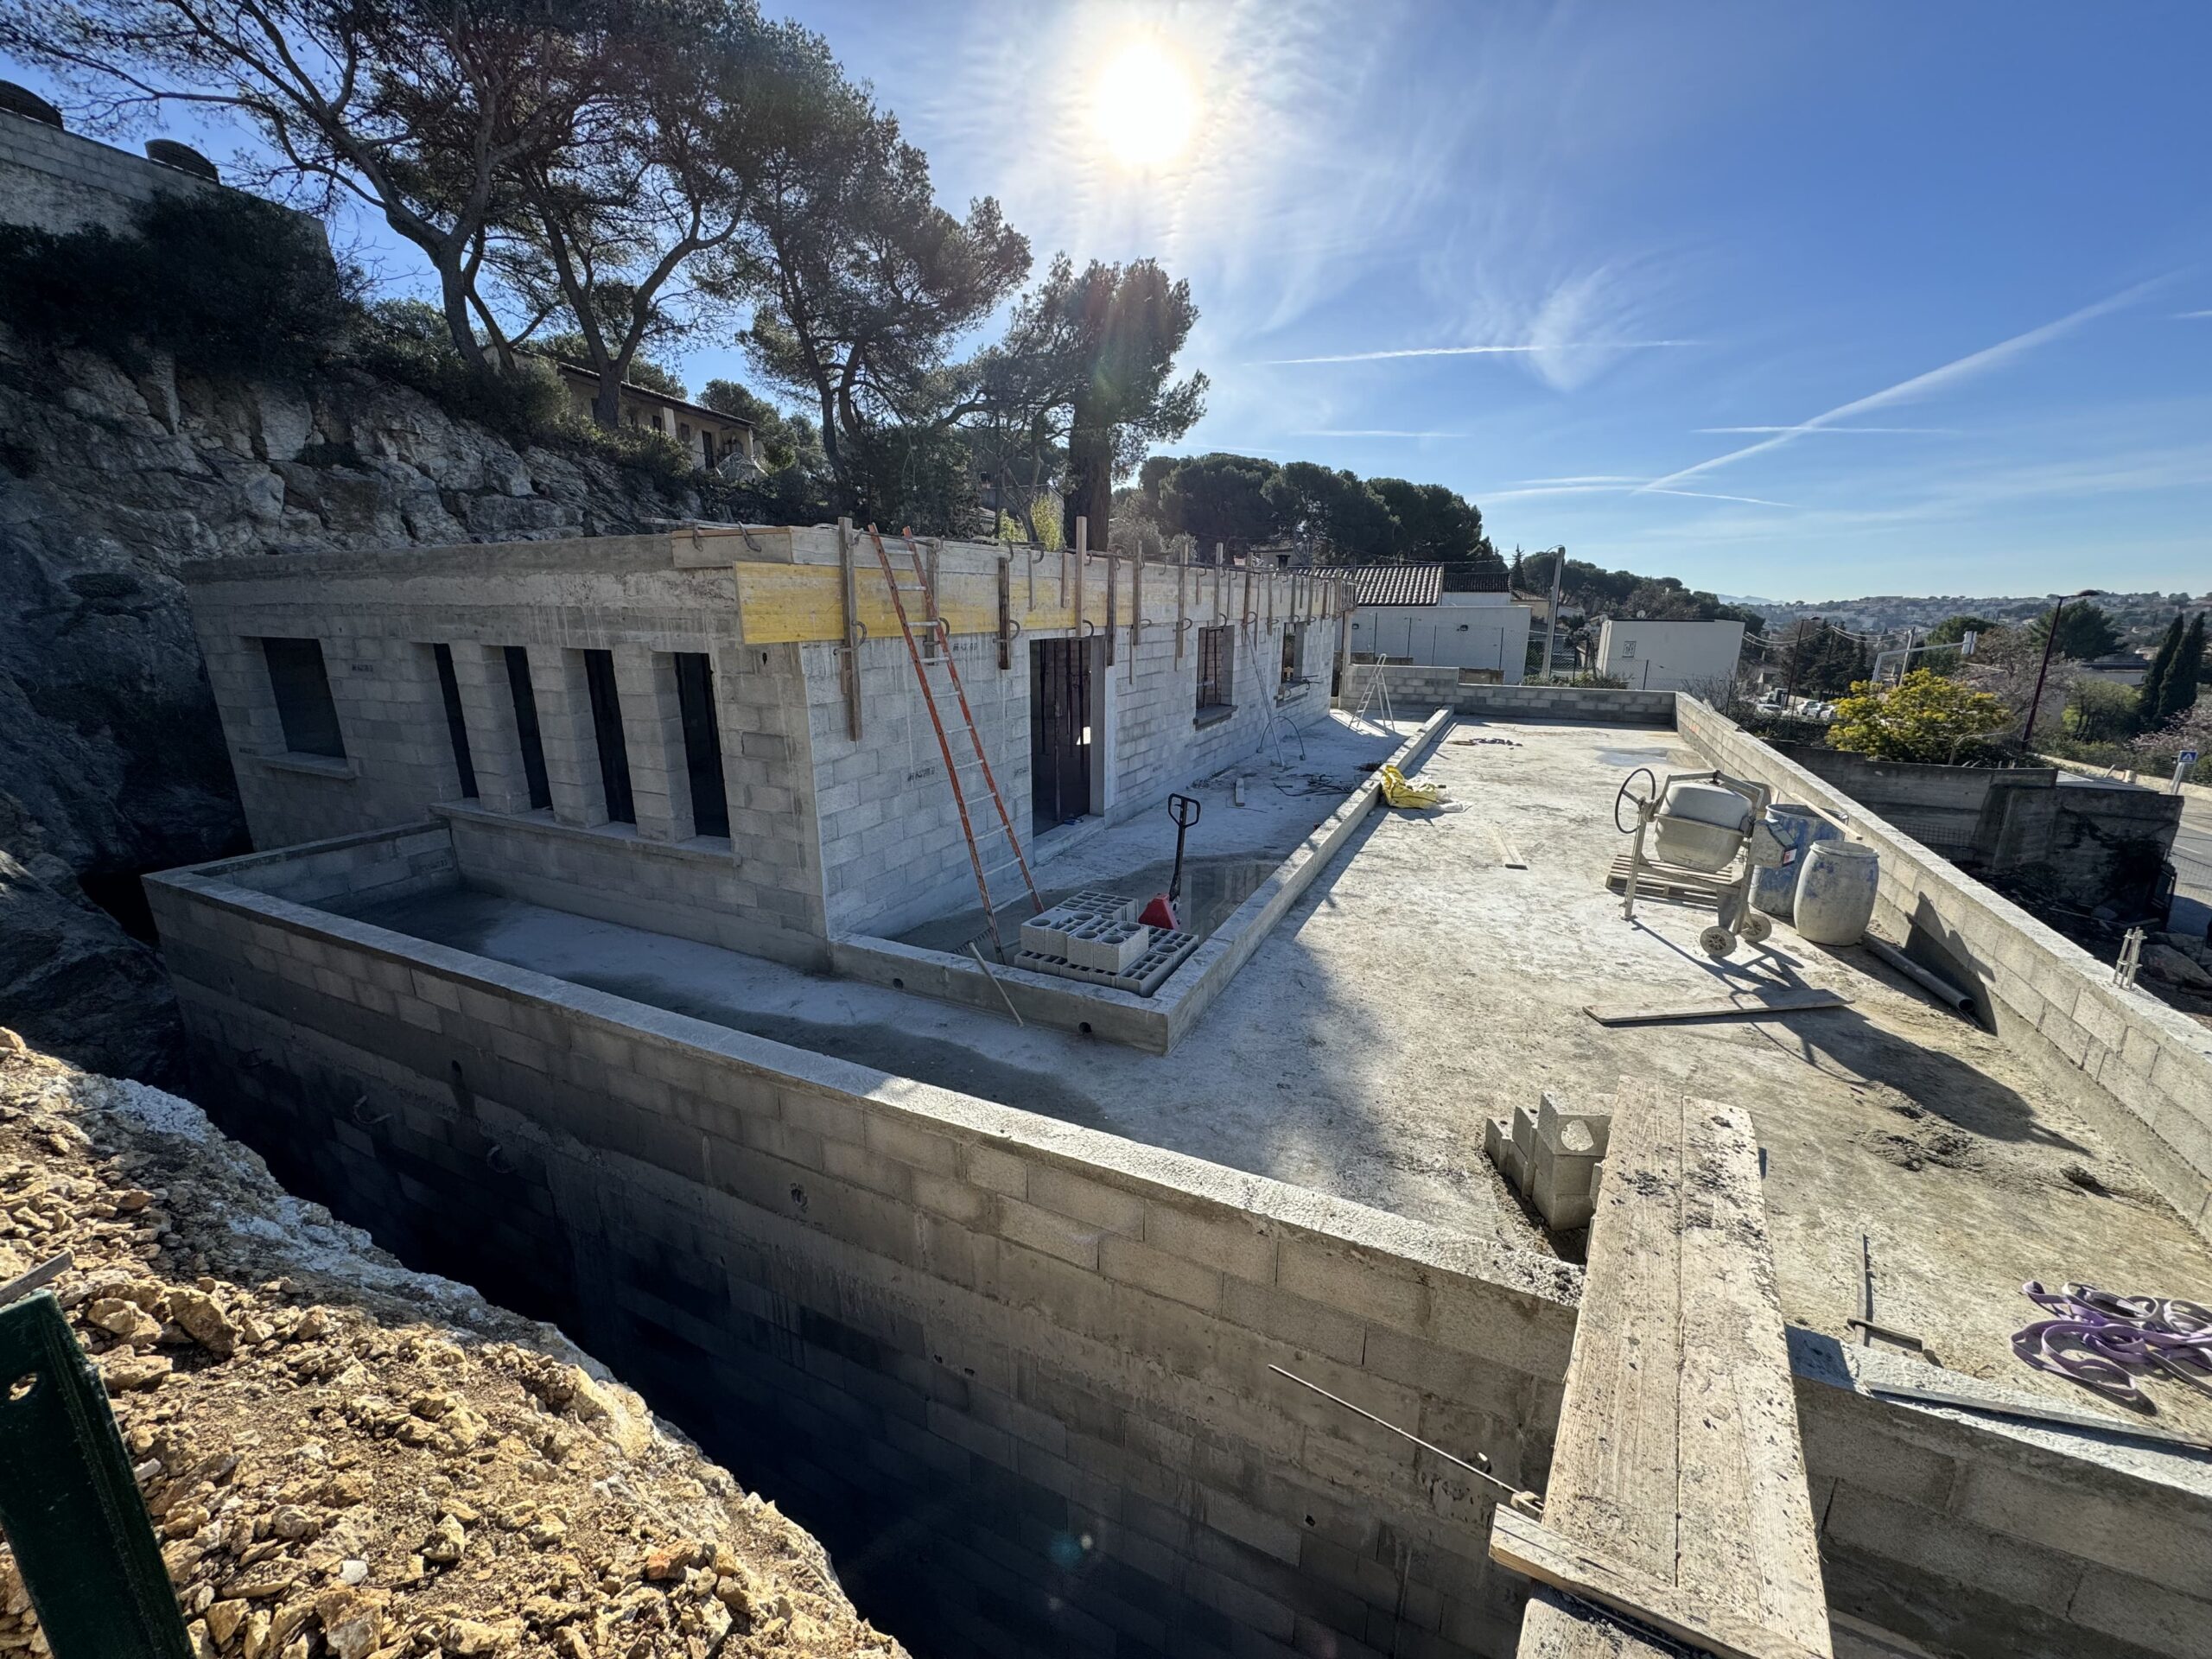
x=1784, y=300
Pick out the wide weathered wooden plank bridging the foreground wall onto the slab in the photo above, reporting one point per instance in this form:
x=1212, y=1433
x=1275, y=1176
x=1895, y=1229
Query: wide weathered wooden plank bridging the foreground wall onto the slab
x=1678, y=1465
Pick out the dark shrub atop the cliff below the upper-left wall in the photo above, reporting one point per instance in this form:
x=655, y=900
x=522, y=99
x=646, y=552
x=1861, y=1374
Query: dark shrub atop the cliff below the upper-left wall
x=225, y=282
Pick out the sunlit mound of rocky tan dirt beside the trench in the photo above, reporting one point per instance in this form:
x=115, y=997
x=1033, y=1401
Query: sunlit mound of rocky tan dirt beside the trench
x=355, y=1461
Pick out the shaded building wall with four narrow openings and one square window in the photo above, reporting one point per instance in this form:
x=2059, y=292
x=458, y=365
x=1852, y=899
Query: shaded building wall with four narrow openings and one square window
x=379, y=616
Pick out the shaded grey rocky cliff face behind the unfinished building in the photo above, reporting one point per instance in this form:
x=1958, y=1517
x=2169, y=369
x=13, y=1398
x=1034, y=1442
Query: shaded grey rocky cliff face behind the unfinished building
x=109, y=744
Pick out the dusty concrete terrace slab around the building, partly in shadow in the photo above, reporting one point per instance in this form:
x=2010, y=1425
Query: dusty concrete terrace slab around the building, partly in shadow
x=1423, y=988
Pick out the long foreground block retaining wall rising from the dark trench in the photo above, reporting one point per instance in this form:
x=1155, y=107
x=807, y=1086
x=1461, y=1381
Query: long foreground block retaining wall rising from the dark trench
x=1014, y=1373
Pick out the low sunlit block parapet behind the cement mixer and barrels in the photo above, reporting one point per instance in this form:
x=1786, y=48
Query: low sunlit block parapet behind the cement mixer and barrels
x=2140, y=1067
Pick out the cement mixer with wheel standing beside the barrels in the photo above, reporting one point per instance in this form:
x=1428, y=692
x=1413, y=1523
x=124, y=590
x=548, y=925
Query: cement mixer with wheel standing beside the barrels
x=1698, y=839
